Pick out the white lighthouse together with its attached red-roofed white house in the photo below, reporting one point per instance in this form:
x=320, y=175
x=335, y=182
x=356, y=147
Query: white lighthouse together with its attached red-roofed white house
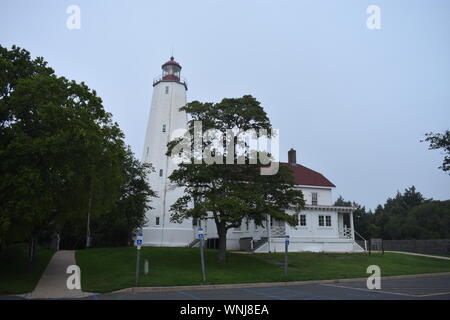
x=321, y=227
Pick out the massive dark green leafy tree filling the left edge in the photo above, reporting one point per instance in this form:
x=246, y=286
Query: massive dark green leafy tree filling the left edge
x=62, y=157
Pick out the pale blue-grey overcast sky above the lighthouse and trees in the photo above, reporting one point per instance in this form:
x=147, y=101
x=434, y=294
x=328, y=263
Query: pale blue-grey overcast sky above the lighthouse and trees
x=353, y=102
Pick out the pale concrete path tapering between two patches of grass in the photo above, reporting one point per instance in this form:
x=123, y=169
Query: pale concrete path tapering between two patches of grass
x=52, y=284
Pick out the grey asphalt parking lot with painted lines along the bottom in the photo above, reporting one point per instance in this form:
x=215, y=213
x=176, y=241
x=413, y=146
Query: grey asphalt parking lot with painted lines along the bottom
x=418, y=288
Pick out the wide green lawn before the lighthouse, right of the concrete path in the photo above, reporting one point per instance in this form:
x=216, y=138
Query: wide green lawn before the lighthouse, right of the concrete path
x=109, y=269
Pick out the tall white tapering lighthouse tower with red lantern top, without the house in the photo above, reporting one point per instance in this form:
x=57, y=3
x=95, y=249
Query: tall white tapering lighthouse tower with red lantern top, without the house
x=169, y=95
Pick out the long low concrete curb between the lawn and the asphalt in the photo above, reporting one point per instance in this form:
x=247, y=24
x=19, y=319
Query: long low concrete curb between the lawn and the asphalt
x=262, y=284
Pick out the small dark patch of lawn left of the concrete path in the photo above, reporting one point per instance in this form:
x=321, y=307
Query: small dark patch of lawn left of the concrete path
x=15, y=275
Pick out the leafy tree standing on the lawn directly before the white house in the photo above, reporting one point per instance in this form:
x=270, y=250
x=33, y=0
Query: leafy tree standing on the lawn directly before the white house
x=228, y=193
